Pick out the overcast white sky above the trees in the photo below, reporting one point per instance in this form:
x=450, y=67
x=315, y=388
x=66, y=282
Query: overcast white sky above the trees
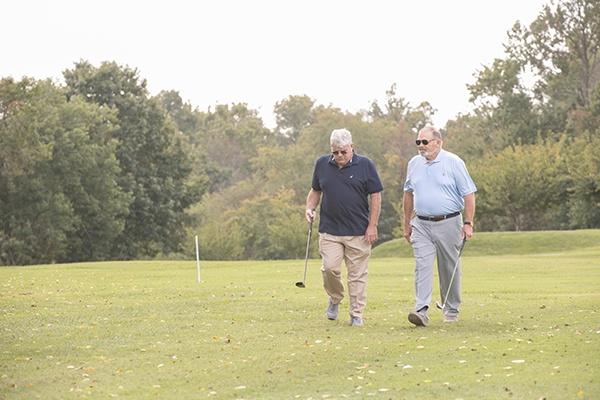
x=346, y=53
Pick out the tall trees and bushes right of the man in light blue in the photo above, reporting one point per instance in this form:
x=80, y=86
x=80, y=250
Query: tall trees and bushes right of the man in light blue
x=536, y=113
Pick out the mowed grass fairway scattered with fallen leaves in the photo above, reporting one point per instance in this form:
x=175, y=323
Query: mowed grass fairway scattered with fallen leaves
x=529, y=329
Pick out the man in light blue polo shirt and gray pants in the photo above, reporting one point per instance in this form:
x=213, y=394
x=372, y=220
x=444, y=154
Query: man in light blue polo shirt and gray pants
x=437, y=188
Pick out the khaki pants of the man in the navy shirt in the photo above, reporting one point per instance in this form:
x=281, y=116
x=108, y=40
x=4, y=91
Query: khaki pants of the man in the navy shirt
x=355, y=251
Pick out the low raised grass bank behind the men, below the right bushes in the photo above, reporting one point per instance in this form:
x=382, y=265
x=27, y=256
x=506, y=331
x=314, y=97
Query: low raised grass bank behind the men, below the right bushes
x=500, y=243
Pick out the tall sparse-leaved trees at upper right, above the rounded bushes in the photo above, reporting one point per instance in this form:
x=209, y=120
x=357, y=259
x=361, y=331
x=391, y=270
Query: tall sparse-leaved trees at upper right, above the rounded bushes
x=544, y=87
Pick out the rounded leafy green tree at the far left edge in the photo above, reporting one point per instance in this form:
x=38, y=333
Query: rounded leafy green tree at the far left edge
x=58, y=196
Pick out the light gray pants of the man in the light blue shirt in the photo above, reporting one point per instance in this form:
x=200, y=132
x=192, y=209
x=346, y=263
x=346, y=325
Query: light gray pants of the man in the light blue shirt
x=441, y=239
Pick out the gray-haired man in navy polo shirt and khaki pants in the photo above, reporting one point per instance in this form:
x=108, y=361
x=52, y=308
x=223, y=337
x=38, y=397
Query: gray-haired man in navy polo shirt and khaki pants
x=343, y=182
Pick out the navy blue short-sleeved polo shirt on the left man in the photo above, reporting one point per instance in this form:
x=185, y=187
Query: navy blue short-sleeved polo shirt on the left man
x=345, y=191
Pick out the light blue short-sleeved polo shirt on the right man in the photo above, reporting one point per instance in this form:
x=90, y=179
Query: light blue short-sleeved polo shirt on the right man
x=438, y=186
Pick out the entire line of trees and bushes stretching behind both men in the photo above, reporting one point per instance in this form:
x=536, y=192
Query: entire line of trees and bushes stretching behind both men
x=97, y=168
